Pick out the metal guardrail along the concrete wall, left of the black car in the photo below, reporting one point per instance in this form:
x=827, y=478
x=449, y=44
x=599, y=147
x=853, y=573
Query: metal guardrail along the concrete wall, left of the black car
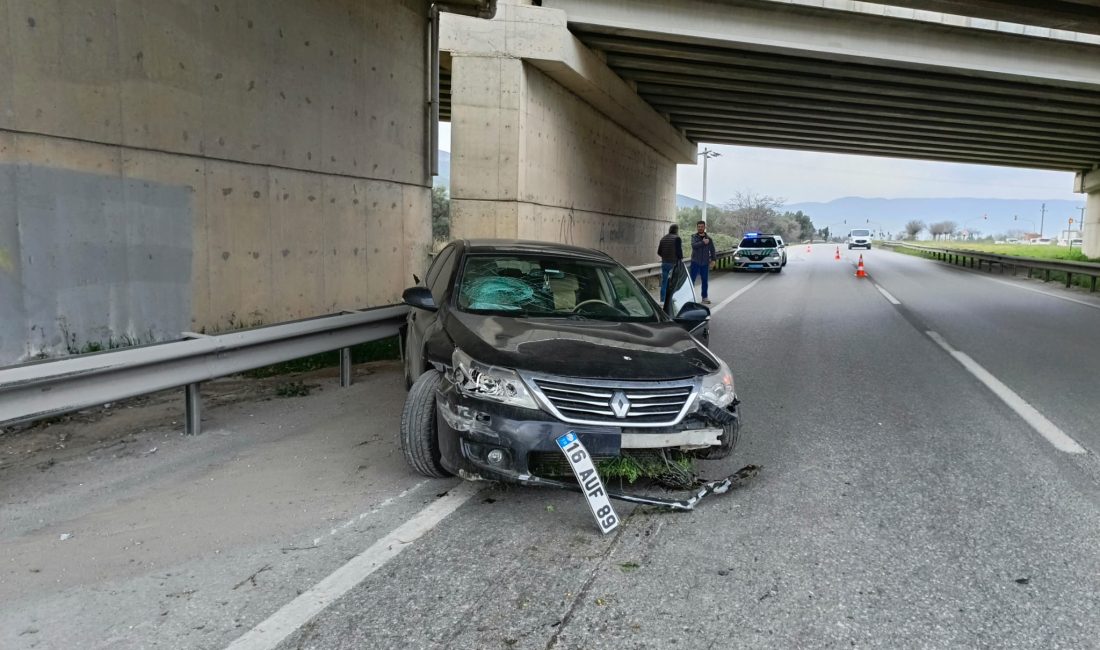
x=46, y=389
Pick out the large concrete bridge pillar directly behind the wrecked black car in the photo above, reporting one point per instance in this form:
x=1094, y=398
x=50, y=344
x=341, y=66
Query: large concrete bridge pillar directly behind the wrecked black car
x=548, y=144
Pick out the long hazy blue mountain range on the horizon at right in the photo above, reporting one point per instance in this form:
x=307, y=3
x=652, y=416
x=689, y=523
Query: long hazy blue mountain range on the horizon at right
x=892, y=215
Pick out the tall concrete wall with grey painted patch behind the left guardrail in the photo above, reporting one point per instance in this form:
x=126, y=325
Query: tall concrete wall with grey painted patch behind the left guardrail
x=179, y=167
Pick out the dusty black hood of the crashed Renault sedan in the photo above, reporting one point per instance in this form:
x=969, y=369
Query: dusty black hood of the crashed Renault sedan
x=589, y=349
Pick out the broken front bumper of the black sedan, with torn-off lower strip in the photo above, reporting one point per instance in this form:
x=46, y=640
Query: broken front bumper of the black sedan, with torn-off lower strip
x=488, y=442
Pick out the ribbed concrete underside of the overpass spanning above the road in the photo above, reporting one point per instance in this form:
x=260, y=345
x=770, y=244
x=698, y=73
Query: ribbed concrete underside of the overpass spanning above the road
x=790, y=75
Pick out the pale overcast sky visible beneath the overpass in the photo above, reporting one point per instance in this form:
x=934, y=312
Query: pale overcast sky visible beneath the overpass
x=807, y=177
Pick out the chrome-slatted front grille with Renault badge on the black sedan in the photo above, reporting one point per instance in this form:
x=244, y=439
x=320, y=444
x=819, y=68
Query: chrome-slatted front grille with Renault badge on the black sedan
x=624, y=404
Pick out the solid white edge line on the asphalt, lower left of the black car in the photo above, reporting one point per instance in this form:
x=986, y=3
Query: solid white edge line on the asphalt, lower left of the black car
x=295, y=614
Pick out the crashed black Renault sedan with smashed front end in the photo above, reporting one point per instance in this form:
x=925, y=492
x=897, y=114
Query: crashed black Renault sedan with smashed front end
x=511, y=345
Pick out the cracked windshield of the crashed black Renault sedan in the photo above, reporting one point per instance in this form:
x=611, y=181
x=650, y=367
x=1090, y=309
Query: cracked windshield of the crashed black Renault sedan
x=554, y=288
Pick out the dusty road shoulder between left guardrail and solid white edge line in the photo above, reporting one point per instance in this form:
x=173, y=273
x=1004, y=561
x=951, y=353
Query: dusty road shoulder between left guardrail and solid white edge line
x=118, y=531
